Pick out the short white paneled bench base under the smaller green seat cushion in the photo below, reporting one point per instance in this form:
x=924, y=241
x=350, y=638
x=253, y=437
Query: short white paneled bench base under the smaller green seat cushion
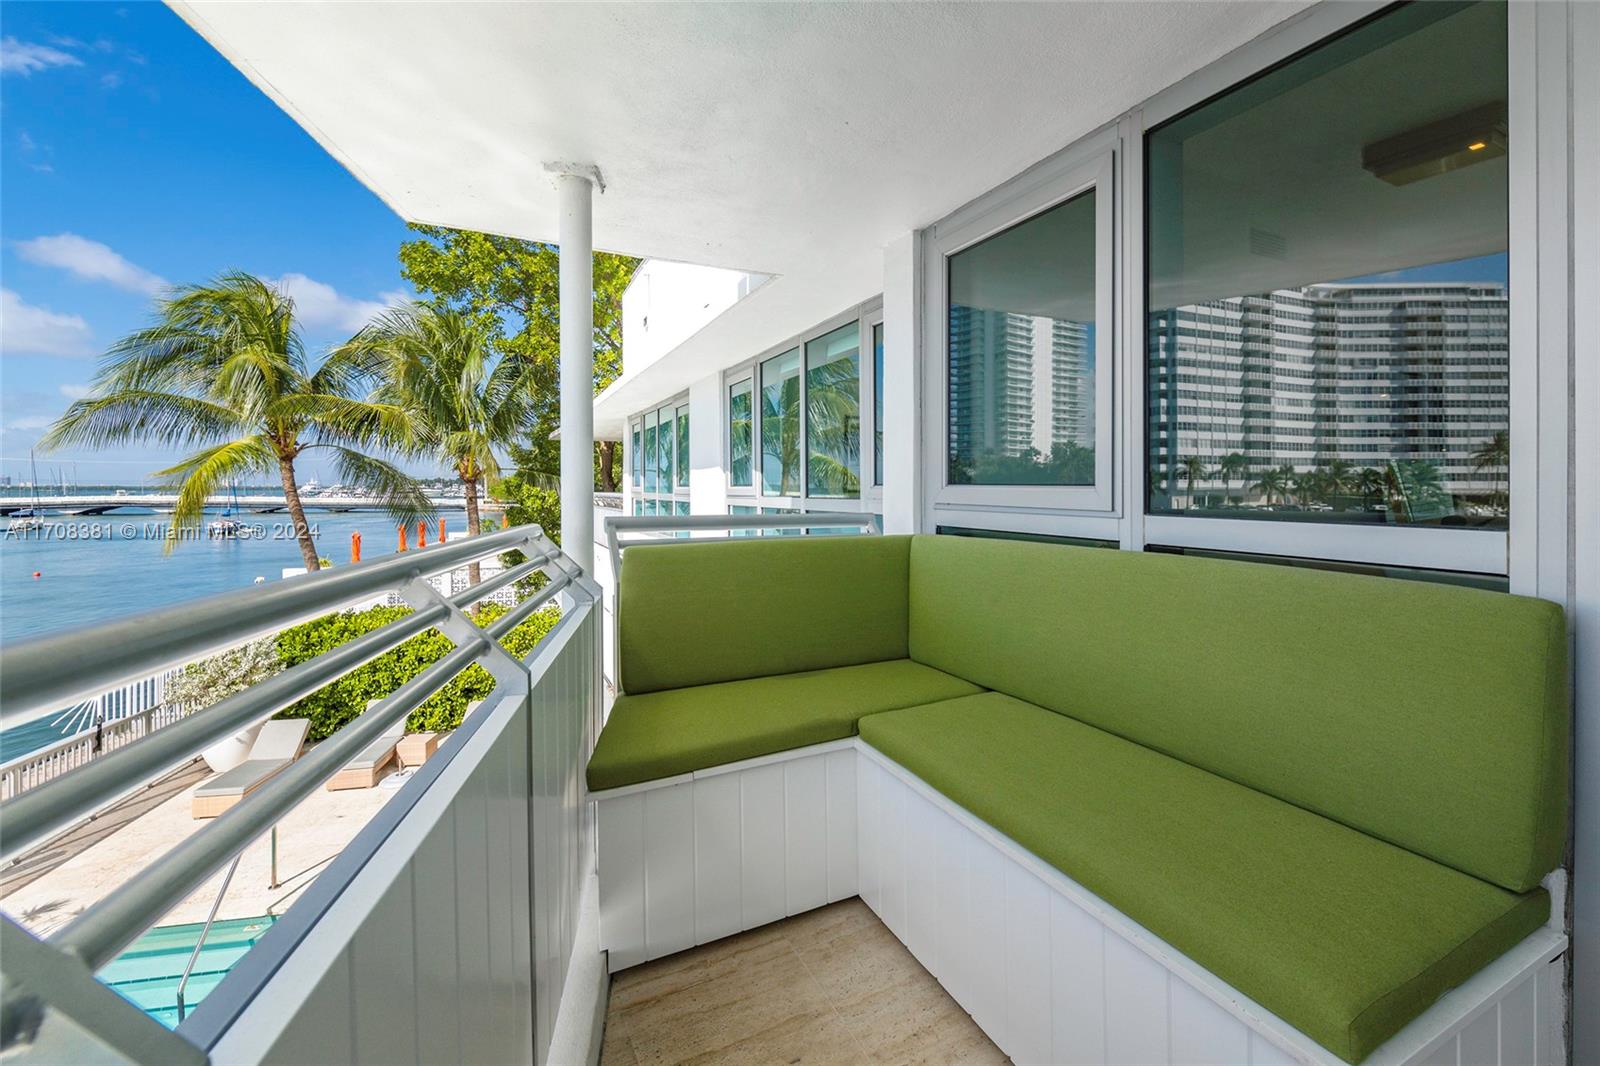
x=703, y=856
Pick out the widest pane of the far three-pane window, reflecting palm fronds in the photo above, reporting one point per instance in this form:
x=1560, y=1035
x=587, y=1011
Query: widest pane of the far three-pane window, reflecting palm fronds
x=833, y=403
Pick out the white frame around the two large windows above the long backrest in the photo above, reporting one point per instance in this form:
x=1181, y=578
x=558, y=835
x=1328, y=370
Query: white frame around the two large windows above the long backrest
x=1540, y=222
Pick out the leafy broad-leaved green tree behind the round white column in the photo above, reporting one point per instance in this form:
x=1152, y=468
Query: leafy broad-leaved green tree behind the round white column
x=511, y=291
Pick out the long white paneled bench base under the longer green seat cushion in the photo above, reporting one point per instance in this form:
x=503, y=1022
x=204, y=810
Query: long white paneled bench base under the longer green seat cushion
x=1057, y=976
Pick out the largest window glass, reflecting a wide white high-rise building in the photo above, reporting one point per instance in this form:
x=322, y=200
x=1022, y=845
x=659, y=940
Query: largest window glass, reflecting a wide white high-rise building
x=1329, y=284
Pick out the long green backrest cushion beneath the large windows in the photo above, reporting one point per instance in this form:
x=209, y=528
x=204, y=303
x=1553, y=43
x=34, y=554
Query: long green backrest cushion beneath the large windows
x=1434, y=718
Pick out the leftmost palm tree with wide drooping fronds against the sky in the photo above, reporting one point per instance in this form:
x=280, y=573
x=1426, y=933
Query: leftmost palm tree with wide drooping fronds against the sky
x=223, y=371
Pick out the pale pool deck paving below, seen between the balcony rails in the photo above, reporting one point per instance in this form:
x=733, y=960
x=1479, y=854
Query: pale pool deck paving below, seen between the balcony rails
x=308, y=840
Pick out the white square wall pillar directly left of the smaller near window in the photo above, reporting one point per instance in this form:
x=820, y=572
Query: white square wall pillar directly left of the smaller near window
x=903, y=387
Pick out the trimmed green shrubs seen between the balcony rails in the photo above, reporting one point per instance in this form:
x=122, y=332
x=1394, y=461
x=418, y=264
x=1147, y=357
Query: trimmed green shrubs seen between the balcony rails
x=340, y=702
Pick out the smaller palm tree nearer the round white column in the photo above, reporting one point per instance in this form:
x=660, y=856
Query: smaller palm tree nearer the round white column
x=462, y=403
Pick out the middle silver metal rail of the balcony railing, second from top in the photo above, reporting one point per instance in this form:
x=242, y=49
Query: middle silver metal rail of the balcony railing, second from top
x=39, y=814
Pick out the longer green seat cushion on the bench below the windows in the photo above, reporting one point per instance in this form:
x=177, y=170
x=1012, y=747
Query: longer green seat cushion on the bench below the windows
x=1337, y=932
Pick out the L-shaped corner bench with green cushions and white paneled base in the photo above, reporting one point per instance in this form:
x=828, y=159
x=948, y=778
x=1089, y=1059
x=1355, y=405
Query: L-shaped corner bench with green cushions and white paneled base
x=1126, y=808
